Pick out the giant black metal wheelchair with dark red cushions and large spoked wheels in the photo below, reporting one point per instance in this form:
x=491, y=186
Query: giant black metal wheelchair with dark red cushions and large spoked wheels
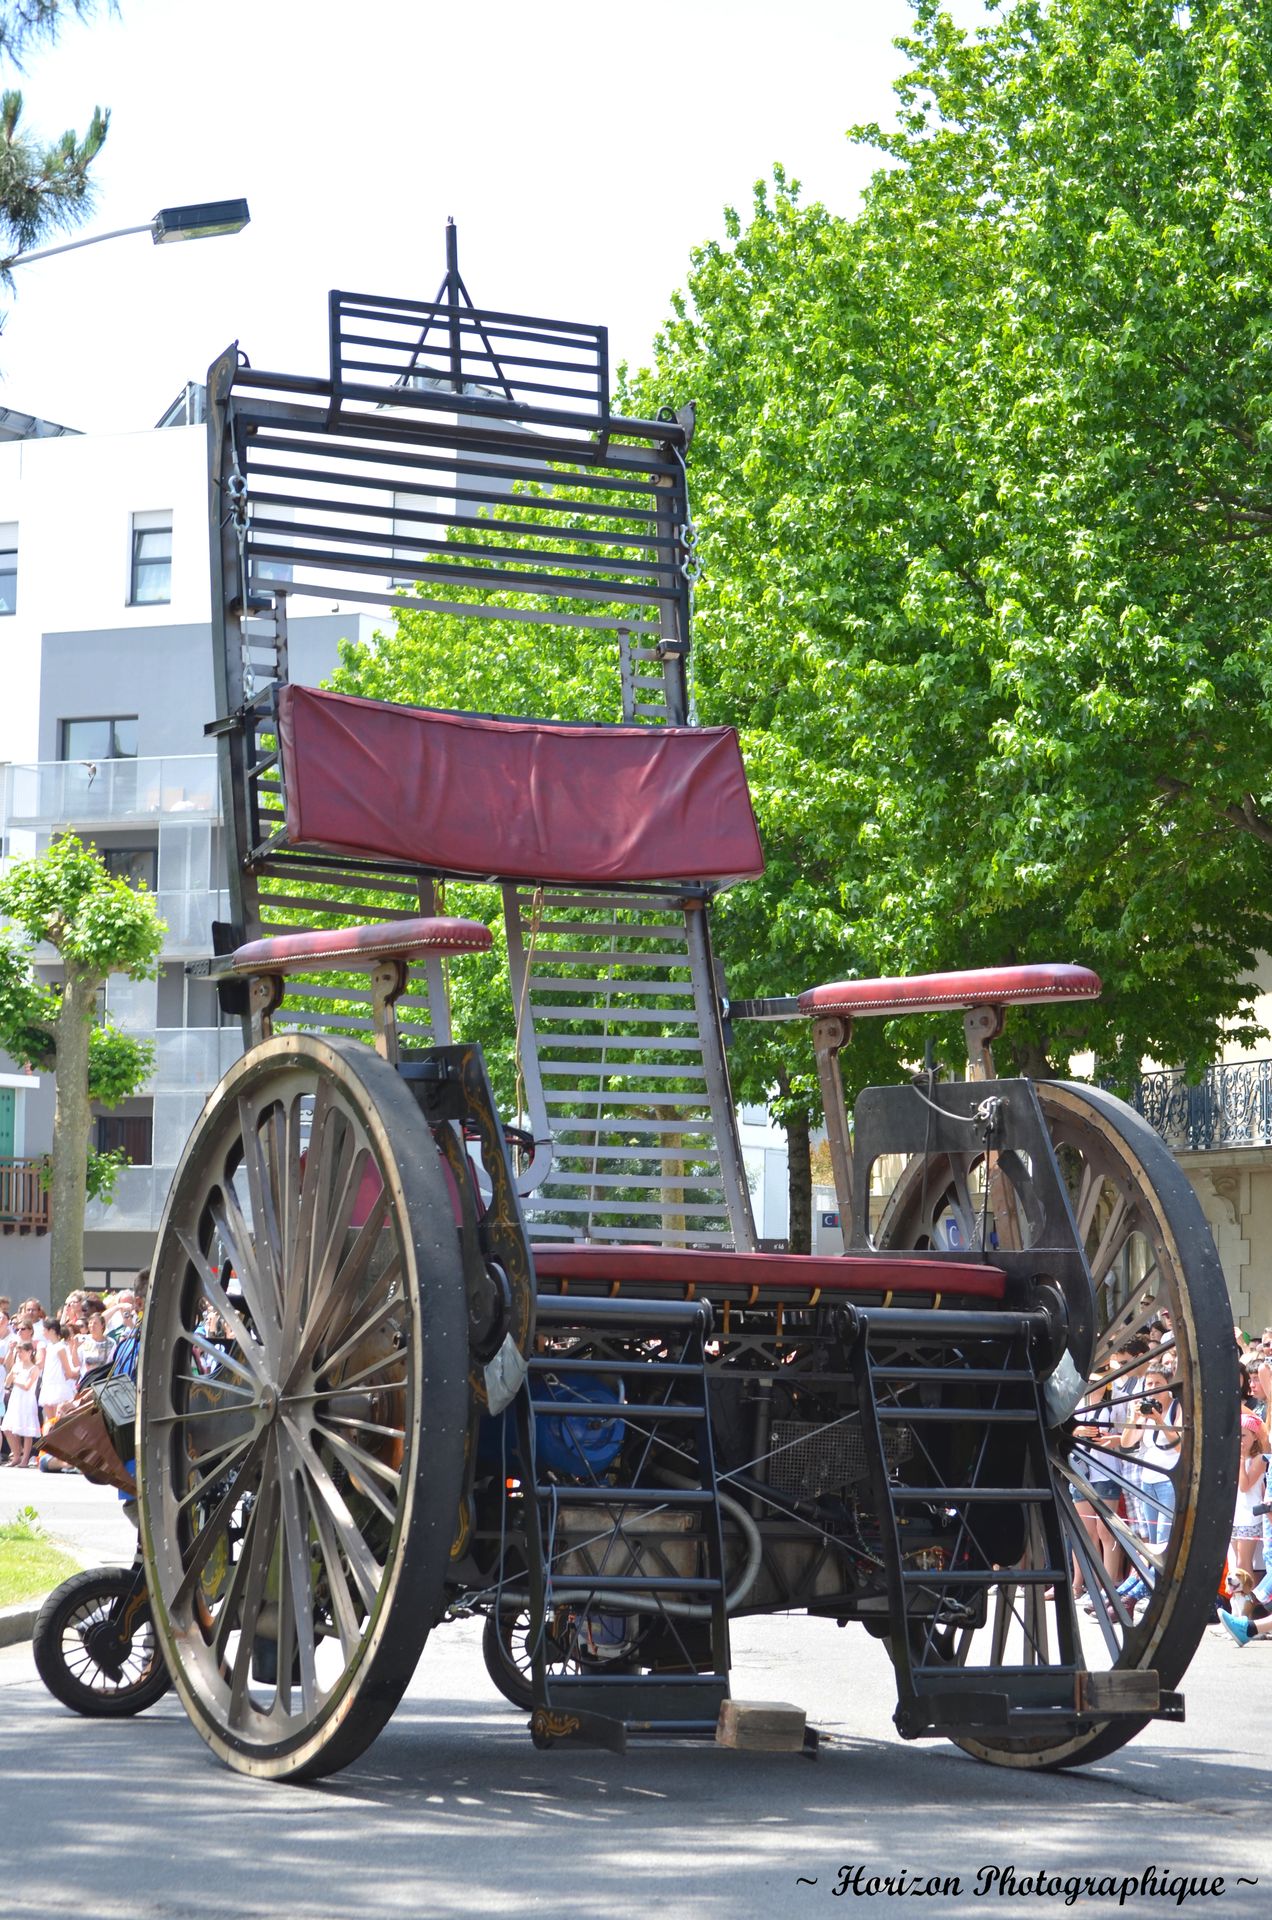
x=404, y=1362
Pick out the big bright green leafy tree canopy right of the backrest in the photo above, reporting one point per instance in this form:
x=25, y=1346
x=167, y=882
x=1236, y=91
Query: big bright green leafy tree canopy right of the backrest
x=983, y=481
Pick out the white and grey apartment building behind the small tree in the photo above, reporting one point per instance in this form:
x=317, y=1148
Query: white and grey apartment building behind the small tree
x=107, y=652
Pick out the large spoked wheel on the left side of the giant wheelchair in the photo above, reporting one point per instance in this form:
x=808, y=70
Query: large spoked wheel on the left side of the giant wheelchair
x=303, y=1408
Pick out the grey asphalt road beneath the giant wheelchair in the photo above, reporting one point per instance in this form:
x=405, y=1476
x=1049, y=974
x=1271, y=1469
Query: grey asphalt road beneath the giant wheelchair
x=453, y=1812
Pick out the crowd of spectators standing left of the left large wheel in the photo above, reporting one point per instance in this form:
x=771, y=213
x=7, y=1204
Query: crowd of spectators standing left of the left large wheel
x=43, y=1360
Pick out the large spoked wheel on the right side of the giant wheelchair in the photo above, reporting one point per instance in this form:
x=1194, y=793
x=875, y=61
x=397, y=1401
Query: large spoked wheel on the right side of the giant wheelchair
x=1152, y=1262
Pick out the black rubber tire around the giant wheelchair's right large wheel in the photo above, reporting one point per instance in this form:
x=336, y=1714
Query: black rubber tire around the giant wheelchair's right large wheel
x=1094, y=1130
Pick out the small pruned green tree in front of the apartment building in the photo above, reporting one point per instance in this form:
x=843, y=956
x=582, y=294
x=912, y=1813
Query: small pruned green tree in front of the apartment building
x=99, y=926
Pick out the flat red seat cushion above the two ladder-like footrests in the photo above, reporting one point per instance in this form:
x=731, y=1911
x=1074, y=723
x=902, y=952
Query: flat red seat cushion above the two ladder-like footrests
x=831, y=1274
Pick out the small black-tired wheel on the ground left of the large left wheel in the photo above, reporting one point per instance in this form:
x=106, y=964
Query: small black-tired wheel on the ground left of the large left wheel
x=68, y=1669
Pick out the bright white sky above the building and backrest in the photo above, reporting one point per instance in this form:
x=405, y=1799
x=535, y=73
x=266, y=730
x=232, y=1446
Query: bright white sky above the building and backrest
x=583, y=149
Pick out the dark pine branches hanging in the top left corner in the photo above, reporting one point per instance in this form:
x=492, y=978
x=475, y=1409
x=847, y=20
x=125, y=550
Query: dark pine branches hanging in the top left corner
x=45, y=187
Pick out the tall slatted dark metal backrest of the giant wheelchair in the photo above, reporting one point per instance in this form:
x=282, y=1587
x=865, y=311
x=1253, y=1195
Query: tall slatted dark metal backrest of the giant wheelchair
x=468, y=462
